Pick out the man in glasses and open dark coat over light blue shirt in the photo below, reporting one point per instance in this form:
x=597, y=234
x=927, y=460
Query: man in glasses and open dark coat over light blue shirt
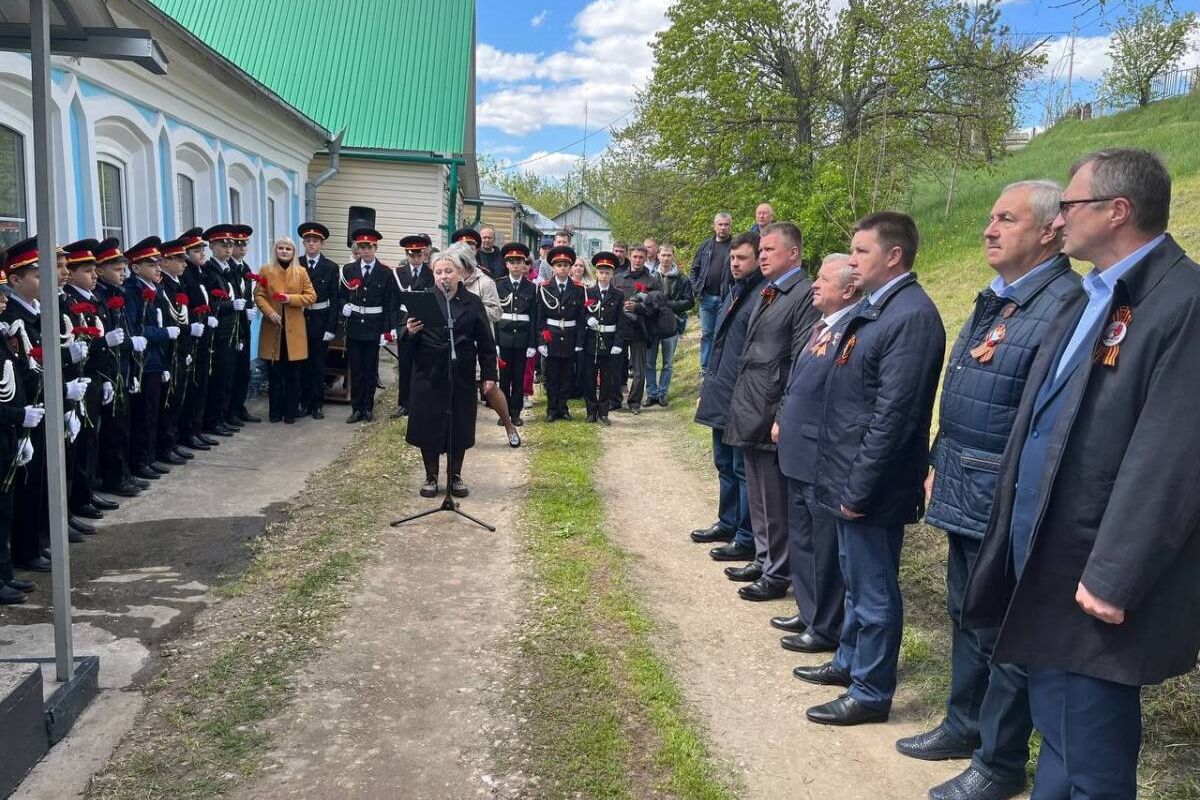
x=1091, y=556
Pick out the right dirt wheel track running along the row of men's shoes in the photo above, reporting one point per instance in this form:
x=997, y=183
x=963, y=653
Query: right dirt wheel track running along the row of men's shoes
x=727, y=657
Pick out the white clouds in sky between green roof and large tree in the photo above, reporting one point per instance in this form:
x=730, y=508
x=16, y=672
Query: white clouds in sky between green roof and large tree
x=607, y=62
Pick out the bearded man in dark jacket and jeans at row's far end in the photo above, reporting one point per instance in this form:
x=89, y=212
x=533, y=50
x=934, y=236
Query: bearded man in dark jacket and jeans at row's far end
x=733, y=524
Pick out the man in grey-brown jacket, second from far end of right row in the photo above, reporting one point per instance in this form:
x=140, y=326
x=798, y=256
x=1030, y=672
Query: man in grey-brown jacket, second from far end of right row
x=778, y=330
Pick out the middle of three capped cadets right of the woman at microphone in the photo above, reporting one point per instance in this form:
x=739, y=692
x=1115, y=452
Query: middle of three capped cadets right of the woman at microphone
x=561, y=323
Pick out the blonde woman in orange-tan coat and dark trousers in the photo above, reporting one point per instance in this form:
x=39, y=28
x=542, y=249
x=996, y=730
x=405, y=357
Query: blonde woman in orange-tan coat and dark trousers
x=283, y=293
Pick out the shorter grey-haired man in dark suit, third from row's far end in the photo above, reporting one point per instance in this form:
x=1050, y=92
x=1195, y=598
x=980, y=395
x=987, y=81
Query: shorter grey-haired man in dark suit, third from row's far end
x=812, y=531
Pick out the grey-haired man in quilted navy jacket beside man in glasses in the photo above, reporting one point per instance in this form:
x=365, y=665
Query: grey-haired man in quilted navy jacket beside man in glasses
x=988, y=713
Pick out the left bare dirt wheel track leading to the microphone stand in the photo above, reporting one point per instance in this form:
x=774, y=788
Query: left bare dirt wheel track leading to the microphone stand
x=400, y=706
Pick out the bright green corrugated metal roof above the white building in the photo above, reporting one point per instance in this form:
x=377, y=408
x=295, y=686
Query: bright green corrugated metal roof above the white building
x=394, y=74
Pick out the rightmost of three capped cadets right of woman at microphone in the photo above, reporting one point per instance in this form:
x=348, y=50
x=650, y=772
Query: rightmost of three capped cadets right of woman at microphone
x=603, y=344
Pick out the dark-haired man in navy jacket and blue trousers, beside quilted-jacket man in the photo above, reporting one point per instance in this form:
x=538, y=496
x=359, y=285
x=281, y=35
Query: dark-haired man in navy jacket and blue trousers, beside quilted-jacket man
x=873, y=460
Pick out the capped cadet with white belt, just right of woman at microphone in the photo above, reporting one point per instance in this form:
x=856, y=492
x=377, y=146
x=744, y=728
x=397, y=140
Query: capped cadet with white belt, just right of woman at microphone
x=517, y=334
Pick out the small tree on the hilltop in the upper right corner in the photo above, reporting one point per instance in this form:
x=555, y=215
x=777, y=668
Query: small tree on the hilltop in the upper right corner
x=1147, y=44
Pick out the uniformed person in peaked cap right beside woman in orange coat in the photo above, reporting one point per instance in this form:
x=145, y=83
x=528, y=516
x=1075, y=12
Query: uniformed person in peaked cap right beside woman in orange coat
x=321, y=318
